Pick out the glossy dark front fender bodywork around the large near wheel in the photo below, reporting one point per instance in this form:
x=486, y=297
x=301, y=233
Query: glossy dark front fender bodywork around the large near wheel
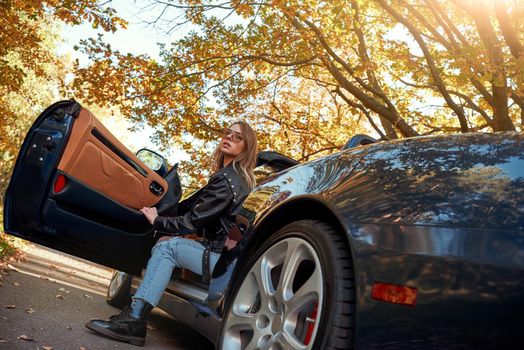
x=441, y=214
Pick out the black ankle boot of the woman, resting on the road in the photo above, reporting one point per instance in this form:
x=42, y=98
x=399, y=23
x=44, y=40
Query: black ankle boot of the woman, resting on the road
x=128, y=326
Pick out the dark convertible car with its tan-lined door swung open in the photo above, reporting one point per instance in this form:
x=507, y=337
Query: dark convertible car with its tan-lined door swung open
x=416, y=243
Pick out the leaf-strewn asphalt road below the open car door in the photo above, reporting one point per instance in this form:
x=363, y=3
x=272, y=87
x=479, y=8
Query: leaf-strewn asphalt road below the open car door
x=46, y=298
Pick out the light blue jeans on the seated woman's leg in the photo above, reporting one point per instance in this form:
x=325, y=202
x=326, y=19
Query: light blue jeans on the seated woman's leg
x=165, y=256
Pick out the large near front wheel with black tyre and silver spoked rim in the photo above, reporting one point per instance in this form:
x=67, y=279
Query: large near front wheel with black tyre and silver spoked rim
x=297, y=292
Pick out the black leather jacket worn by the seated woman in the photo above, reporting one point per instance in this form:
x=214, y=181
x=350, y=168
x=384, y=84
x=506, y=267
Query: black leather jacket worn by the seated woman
x=210, y=212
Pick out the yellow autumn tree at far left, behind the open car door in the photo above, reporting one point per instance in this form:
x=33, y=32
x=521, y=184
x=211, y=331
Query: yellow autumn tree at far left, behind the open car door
x=31, y=74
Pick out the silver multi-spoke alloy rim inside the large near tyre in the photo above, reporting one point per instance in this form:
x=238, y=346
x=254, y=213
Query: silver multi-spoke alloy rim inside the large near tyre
x=278, y=302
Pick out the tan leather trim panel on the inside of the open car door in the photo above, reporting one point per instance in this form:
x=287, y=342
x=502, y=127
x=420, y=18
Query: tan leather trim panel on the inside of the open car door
x=88, y=159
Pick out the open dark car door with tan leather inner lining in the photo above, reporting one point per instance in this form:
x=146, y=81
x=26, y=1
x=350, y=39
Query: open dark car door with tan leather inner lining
x=77, y=189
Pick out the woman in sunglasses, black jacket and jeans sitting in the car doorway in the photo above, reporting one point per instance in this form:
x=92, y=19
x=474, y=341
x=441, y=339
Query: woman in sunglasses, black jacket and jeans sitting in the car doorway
x=209, y=213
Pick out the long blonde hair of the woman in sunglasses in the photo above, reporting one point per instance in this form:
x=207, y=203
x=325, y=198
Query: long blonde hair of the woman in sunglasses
x=246, y=160
